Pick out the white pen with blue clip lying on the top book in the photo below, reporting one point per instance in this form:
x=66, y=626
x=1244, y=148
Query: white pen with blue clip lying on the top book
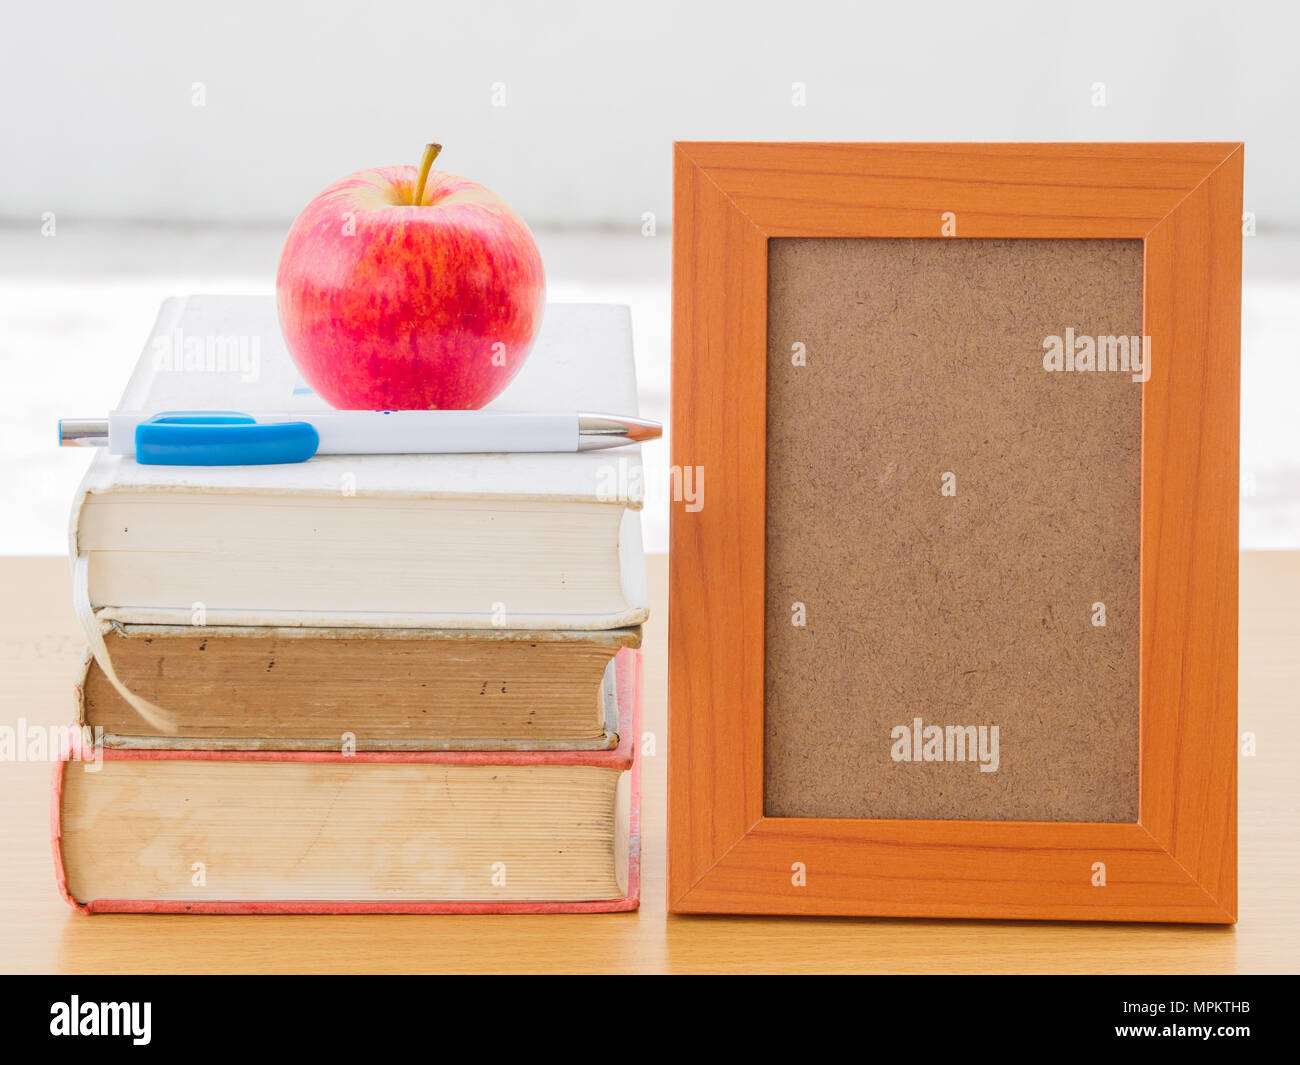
x=236, y=439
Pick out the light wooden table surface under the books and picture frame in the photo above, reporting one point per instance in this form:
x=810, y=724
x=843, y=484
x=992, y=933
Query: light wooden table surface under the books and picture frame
x=41, y=647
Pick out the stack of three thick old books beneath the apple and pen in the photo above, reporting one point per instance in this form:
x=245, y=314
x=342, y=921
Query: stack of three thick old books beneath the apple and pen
x=383, y=683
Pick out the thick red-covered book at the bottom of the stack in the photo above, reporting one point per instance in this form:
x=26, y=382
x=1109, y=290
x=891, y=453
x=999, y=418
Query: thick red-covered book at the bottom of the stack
x=213, y=832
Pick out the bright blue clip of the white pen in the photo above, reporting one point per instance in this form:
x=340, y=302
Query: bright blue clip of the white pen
x=222, y=439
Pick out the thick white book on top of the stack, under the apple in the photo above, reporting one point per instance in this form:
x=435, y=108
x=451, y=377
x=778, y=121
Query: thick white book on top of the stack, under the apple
x=549, y=542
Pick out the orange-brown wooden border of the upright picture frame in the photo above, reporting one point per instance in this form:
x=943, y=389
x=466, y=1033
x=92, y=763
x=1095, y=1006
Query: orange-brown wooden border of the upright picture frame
x=1178, y=861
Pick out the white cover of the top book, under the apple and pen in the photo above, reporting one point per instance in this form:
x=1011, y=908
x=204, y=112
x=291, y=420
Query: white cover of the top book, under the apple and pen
x=582, y=362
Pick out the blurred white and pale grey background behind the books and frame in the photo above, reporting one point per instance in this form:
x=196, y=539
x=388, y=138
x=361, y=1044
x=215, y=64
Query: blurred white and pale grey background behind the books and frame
x=154, y=196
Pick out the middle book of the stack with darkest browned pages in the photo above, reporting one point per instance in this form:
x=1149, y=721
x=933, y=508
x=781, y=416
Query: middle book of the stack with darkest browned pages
x=246, y=689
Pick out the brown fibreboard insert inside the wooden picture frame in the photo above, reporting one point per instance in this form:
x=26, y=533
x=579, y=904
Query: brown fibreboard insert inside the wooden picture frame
x=952, y=531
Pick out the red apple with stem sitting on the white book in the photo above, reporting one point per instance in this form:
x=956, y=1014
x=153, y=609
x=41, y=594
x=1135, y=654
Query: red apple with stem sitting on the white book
x=405, y=291
